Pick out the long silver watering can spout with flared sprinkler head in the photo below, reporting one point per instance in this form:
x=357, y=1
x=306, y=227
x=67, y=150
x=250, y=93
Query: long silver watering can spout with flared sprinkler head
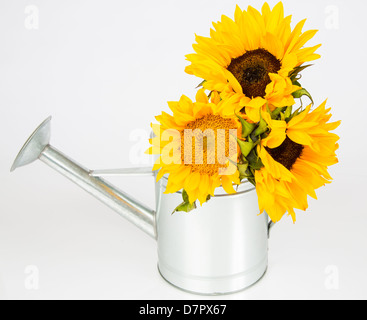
x=38, y=147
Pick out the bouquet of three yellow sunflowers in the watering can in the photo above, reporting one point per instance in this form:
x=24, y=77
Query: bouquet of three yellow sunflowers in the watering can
x=244, y=122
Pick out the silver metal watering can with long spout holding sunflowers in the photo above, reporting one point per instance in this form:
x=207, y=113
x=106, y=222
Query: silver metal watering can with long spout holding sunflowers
x=219, y=248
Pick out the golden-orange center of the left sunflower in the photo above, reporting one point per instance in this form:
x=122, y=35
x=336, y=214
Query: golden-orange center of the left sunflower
x=205, y=144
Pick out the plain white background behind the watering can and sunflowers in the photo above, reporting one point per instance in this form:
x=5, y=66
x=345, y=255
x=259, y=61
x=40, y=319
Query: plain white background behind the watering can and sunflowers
x=103, y=70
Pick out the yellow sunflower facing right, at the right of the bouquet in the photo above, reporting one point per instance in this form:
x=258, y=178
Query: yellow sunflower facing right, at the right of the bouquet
x=295, y=156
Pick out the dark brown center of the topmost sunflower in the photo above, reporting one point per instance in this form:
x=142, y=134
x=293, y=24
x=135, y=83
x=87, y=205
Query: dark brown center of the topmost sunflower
x=252, y=71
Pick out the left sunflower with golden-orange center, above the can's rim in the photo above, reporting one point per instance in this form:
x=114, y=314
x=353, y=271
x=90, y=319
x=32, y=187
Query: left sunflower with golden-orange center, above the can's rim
x=214, y=128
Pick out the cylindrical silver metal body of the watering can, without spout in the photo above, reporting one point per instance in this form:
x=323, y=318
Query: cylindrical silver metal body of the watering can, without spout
x=218, y=248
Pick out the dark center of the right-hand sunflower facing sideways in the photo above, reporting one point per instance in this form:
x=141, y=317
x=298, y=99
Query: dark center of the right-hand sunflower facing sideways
x=287, y=153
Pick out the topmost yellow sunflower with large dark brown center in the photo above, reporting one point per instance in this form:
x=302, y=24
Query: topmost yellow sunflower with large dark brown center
x=253, y=56
